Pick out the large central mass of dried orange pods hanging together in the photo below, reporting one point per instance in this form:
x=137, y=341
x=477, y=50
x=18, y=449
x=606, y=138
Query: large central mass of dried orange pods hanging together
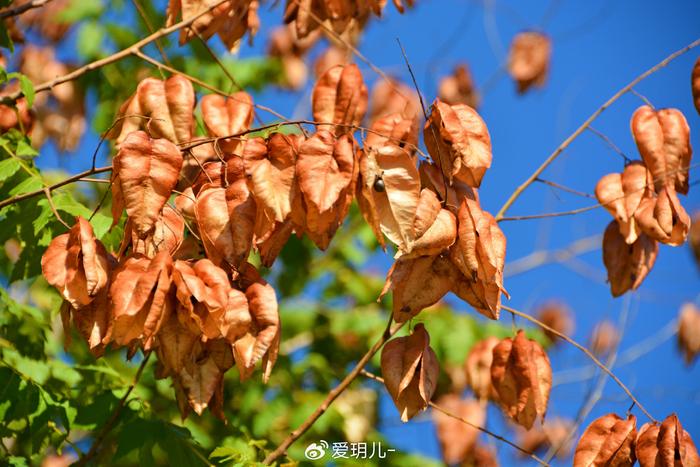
x=181, y=283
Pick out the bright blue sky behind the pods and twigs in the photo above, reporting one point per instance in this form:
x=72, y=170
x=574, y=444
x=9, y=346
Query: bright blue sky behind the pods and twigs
x=598, y=47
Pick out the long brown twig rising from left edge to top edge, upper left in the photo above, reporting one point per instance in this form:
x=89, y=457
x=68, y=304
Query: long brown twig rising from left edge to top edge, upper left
x=78, y=72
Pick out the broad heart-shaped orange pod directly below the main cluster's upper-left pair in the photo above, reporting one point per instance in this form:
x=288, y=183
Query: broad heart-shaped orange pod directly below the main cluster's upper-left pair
x=145, y=173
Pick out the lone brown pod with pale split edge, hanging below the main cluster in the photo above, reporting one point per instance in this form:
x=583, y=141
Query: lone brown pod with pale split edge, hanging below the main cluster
x=410, y=369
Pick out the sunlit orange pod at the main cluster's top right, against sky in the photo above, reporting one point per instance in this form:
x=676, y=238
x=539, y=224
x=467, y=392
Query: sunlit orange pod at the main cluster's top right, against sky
x=458, y=142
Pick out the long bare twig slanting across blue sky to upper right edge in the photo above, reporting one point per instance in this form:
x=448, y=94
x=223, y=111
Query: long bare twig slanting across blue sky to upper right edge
x=518, y=191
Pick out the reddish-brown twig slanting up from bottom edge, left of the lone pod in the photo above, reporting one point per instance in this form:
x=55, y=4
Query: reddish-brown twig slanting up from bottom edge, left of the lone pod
x=333, y=394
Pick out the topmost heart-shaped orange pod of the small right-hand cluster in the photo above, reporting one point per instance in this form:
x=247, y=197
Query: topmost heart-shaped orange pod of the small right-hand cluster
x=663, y=140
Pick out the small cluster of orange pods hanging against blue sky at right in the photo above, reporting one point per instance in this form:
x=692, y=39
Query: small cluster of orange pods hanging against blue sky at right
x=644, y=197
